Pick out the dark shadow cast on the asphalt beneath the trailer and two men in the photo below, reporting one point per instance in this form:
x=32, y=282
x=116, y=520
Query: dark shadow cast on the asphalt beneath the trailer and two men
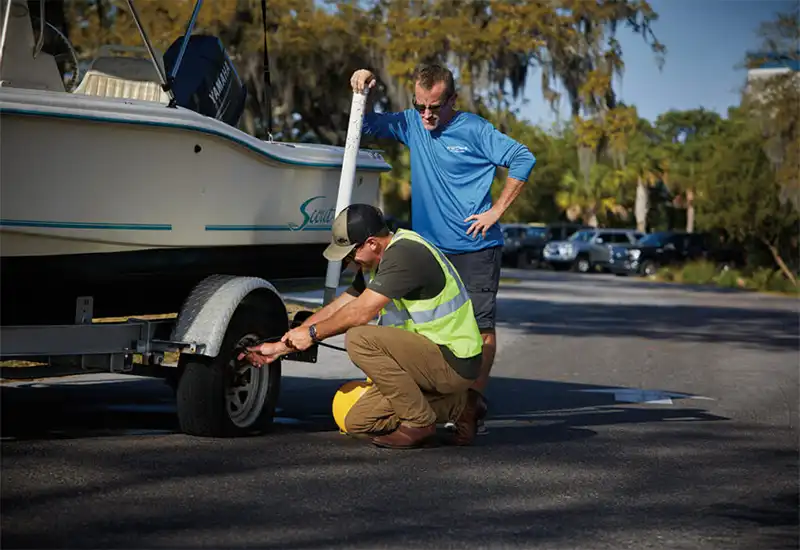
x=147, y=407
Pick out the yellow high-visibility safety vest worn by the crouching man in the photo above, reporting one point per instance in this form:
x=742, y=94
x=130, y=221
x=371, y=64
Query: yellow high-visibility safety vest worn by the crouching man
x=446, y=319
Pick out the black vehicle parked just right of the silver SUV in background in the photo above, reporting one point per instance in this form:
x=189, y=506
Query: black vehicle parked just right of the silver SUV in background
x=670, y=248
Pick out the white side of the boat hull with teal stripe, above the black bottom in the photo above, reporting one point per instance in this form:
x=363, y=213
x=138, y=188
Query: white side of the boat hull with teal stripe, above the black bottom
x=80, y=185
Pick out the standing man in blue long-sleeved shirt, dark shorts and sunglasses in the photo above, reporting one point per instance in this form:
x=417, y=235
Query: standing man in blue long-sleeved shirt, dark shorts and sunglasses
x=454, y=156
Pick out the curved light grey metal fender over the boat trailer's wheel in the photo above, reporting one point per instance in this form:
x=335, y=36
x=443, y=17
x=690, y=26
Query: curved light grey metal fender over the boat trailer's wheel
x=205, y=314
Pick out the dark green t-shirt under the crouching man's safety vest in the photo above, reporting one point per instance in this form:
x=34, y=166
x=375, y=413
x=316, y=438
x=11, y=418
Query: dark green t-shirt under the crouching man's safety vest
x=409, y=270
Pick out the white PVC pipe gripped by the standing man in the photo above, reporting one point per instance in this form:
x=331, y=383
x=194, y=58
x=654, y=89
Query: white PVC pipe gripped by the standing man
x=346, y=181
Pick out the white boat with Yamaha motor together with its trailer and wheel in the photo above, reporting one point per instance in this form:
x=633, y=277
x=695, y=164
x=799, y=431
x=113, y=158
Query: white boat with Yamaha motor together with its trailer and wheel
x=130, y=191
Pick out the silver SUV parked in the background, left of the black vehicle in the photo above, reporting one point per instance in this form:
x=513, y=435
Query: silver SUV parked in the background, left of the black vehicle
x=588, y=249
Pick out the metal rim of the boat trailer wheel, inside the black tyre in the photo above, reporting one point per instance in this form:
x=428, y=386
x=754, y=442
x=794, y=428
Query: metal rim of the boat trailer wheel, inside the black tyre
x=246, y=389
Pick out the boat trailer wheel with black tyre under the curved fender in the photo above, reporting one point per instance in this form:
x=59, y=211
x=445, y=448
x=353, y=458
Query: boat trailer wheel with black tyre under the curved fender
x=221, y=397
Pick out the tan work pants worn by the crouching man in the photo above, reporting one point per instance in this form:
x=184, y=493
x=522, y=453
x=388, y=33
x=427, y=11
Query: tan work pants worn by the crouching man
x=413, y=383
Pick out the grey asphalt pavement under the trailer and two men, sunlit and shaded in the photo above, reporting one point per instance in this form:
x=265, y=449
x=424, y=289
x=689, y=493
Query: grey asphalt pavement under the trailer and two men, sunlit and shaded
x=624, y=414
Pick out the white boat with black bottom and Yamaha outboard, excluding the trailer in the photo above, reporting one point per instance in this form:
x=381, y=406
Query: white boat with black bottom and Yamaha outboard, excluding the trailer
x=116, y=188
